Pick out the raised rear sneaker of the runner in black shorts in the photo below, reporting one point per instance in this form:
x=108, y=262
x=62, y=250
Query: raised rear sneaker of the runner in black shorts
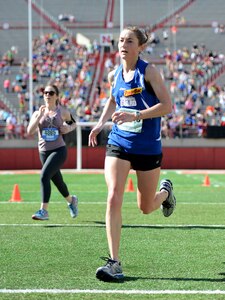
x=169, y=204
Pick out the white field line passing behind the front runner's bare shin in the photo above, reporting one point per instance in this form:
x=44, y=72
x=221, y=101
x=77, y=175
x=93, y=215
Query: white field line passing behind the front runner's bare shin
x=197, y=226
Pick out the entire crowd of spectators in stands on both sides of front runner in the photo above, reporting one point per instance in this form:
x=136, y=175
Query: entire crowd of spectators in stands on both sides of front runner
x=188, y=73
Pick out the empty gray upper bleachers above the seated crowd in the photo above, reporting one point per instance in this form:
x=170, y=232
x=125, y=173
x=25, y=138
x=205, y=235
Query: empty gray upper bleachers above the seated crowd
x=196, y=27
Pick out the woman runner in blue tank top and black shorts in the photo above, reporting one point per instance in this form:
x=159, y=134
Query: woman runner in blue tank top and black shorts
x=138, y=98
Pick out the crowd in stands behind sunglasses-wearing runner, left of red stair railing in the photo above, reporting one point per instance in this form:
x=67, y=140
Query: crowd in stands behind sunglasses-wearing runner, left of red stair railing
x=57, y=60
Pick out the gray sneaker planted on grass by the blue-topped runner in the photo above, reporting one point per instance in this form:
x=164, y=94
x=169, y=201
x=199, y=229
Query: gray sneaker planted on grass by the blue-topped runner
x=112, y=271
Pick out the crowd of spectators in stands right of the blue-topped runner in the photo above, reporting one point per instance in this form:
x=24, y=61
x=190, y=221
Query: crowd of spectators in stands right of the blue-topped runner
x=198, y=101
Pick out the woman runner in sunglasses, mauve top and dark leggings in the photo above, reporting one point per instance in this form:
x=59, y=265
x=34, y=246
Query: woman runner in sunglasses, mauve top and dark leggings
x=52, y=121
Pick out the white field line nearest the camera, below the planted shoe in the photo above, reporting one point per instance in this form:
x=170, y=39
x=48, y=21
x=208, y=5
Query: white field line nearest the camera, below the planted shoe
x=128, y=292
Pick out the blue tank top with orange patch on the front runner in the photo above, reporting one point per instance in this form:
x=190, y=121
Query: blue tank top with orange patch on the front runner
x=142, y=137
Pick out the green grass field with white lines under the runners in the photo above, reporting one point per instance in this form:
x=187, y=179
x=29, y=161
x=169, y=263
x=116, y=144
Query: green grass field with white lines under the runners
x=180, y=257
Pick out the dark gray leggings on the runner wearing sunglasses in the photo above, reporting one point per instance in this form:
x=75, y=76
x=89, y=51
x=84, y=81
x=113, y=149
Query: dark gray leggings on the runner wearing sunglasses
x=52, y=161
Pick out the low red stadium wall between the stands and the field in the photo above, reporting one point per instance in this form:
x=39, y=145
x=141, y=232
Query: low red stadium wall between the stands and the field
x=177, y=154
